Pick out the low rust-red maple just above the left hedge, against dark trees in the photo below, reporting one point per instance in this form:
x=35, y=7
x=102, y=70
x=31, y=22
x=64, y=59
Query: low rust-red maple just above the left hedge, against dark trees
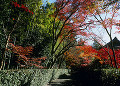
x=24, y=60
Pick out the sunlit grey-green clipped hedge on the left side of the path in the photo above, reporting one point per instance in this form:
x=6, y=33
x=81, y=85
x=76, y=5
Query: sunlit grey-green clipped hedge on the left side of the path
x=29, y=77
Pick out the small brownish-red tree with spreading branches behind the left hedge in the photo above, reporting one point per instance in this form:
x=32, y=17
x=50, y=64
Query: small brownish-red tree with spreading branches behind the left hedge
x=23, y=58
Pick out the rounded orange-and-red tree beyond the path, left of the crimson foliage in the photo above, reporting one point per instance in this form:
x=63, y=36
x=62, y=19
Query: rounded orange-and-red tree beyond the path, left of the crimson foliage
x=82, y=56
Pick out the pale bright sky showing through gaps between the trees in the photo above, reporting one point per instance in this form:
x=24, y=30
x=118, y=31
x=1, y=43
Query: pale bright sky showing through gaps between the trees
x=100, y=32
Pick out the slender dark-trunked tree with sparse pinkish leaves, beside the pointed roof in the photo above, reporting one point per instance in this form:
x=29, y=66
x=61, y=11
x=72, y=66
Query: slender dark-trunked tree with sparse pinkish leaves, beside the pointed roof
x=107, y=23
